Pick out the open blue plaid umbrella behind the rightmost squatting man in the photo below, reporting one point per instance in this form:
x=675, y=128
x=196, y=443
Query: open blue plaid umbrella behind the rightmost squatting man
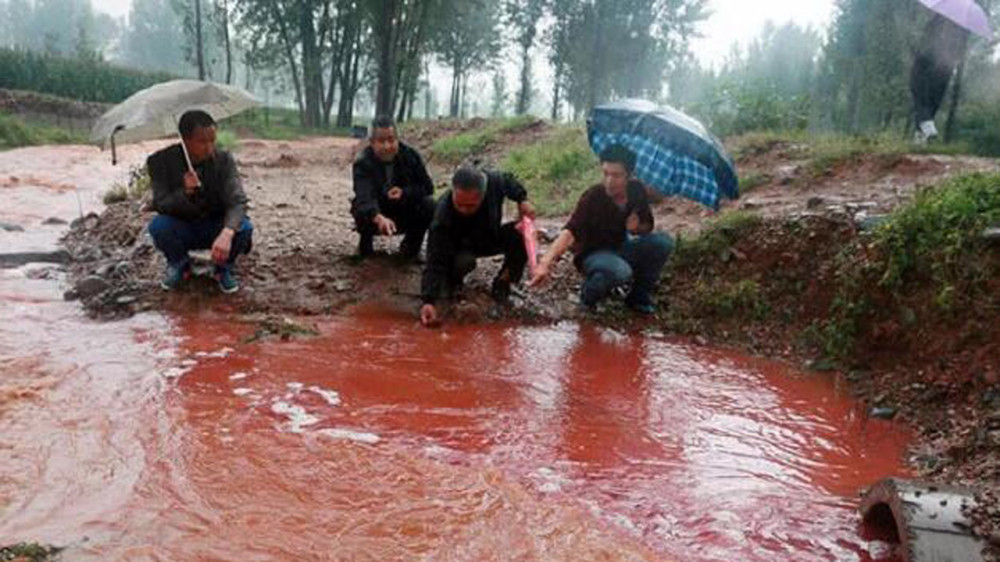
x=675, y=154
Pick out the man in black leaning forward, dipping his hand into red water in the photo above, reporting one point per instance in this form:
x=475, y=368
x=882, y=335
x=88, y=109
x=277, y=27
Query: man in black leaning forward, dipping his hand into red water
x=467, y=225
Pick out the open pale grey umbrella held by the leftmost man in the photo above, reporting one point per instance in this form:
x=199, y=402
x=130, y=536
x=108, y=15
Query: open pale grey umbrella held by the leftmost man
x=154, y=112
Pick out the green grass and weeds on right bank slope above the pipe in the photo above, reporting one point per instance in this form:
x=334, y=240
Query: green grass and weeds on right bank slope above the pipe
x=929, y=251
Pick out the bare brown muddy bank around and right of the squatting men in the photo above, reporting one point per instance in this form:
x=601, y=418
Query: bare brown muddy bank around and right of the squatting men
x=303, y=264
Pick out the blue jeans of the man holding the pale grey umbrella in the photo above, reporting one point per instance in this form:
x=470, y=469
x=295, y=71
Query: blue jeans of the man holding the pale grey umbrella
x=175, y=238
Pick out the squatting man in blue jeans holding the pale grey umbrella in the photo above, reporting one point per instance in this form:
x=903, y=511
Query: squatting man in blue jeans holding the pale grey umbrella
x=201, y=205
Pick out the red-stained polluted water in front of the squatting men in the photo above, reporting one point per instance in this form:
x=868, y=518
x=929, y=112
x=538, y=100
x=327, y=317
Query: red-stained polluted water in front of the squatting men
x=170, y=438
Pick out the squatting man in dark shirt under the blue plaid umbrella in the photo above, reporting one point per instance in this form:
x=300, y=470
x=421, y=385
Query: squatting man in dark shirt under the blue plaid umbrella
x=611, y=235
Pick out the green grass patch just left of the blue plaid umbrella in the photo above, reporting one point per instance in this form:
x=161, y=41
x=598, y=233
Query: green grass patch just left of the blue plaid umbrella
x=556, y=171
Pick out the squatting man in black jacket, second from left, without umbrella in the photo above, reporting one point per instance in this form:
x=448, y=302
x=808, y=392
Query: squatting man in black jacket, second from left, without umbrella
x=392, y=191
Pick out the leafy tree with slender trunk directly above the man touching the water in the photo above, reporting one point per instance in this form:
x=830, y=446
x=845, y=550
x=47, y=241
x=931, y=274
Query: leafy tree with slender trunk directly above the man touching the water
x=470, y=40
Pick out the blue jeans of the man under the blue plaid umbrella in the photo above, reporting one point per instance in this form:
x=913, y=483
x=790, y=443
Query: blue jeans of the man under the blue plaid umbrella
x=640, y=260
